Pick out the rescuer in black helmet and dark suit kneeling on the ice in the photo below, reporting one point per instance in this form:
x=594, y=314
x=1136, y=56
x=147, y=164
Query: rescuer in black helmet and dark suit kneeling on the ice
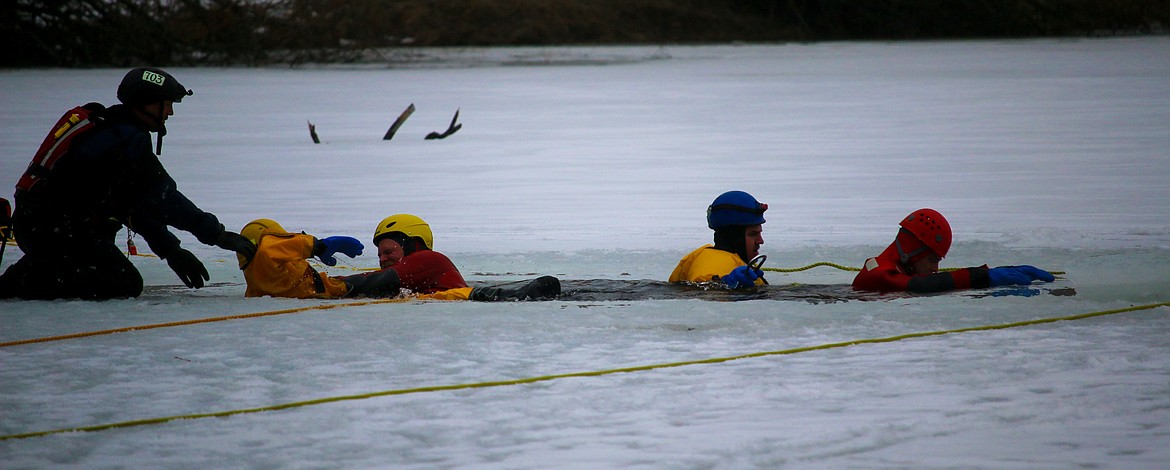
x=94, y=174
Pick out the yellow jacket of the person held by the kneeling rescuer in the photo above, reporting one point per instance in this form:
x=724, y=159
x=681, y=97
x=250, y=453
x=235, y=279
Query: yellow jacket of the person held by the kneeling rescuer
x=280, y=269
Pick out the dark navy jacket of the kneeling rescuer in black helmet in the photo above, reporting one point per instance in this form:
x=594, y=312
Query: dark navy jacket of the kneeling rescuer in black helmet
x=111, y=178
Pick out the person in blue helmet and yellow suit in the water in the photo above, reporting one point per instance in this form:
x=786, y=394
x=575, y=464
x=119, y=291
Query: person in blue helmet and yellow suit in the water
x=738, y=219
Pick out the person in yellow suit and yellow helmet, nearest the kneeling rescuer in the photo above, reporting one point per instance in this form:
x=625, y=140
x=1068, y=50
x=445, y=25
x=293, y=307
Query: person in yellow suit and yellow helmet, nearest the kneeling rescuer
x=280, y=267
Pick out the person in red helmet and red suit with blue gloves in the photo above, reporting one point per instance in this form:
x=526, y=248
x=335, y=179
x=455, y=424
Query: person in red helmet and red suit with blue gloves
x=911, y=264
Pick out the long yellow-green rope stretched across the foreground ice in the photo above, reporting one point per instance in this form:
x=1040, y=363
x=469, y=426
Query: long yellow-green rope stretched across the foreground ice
x=576, y=375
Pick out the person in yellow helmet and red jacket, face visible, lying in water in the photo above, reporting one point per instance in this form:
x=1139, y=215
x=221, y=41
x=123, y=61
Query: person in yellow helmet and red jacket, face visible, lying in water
x=405, y=247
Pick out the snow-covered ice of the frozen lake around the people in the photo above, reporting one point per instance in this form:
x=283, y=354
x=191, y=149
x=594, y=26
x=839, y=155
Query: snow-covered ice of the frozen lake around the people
x=598, y=164
